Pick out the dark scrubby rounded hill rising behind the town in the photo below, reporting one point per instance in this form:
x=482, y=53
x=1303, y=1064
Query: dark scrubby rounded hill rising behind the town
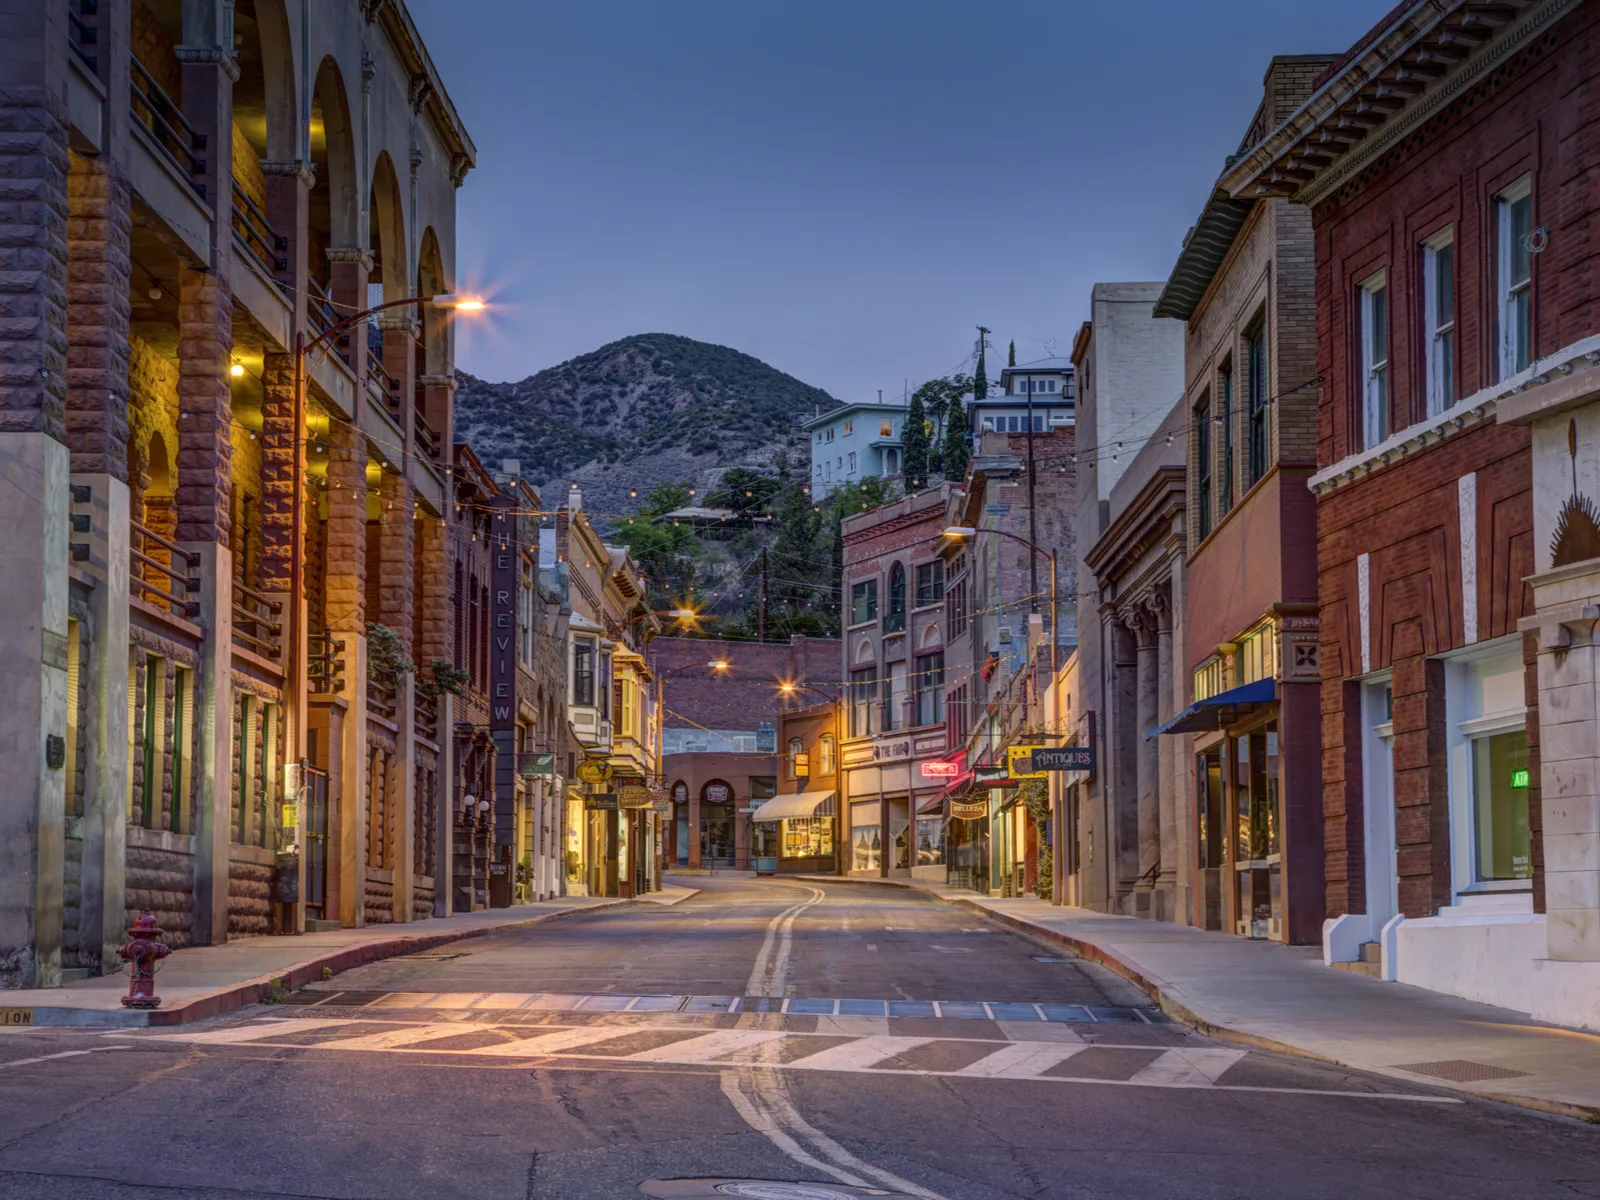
x=646, y=410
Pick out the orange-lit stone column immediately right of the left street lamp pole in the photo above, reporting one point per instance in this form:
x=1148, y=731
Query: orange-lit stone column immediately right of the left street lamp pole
x=346, y=588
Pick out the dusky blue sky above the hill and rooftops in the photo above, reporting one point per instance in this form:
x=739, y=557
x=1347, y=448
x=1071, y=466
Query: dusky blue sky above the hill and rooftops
x=844, y=190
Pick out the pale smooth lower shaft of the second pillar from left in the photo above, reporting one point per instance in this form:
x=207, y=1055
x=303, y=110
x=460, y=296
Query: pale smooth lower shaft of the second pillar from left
x=102, y=906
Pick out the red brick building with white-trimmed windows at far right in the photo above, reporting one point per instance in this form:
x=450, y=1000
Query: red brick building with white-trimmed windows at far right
x=1449, y=167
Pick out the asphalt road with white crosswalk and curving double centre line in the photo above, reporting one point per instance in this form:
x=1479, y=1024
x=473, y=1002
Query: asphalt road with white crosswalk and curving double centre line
x=858, y=1041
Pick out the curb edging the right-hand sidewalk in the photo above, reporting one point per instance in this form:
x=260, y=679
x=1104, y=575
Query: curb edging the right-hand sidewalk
x=1170, y=1002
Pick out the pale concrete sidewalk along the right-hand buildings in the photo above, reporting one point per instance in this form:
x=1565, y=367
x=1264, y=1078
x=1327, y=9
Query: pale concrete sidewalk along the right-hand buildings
x=1282, y=998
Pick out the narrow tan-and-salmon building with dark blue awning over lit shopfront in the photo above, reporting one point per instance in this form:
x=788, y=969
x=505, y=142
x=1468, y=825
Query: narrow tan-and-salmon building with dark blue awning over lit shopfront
x=1247, y=726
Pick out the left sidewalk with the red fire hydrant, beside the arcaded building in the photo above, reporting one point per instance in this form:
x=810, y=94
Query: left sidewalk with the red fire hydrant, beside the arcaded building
x=209, y=980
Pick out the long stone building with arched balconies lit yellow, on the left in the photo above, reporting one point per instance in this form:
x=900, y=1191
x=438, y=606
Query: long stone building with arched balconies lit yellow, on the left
x=185, y=214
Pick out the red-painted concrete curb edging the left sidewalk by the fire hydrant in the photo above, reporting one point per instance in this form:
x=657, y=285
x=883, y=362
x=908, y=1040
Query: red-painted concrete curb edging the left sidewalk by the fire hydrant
x=292, y=977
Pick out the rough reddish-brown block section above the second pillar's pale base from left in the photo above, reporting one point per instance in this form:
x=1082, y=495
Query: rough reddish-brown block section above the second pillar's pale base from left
x=98, y=268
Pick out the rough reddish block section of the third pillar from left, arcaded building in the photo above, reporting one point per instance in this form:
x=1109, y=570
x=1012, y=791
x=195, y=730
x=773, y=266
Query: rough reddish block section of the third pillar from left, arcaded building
x=206, y=346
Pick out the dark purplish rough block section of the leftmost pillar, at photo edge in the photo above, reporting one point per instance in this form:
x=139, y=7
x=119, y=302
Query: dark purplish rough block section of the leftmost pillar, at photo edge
x=33, y=263
